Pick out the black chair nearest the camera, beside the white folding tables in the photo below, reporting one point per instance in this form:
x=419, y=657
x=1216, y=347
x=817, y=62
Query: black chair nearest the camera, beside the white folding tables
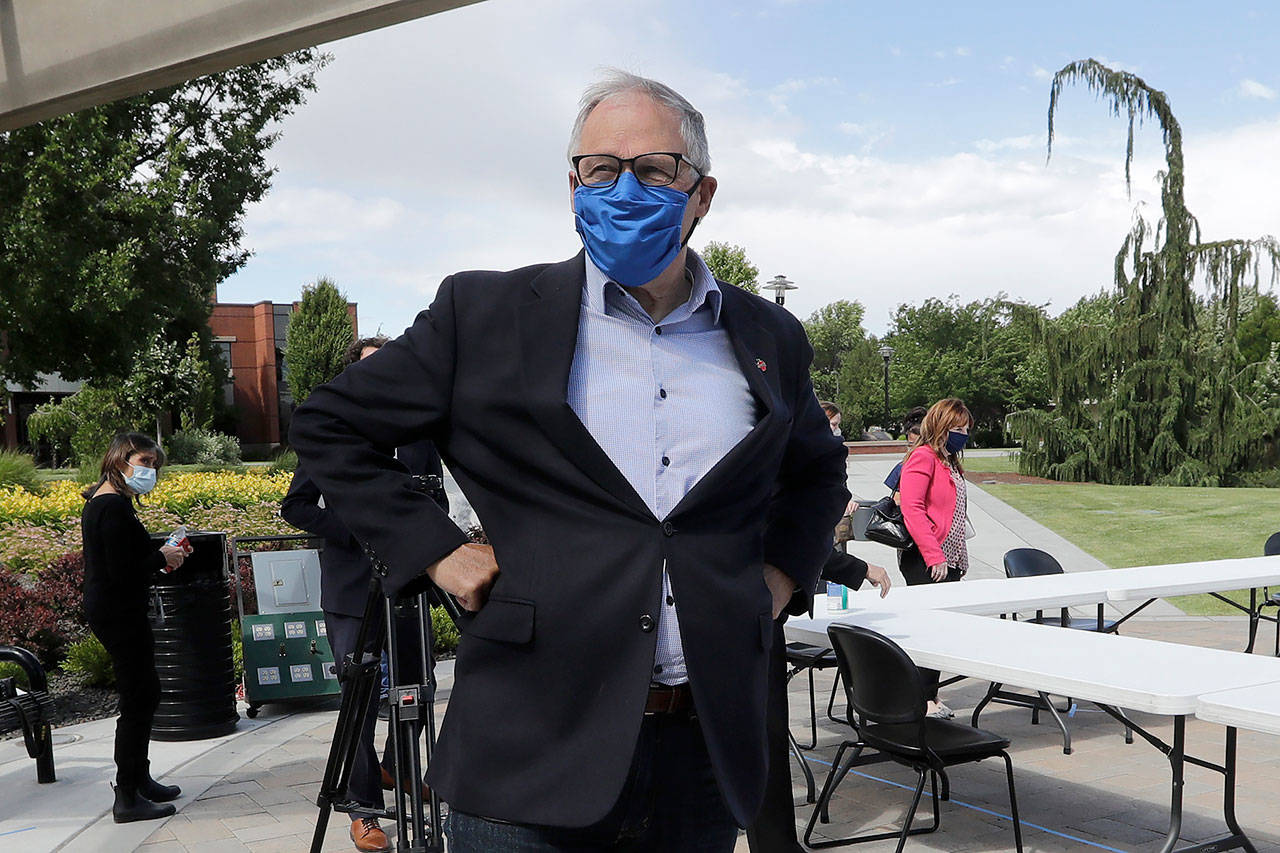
x=886, y=709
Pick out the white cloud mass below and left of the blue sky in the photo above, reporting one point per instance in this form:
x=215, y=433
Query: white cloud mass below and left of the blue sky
x=419, y=157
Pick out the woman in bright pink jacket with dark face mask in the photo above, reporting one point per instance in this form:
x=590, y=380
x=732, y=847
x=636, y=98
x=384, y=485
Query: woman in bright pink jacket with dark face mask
x=932, y=492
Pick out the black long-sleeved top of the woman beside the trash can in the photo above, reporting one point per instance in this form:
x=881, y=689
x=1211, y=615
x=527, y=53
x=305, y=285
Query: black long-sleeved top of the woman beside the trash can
x=120, y=558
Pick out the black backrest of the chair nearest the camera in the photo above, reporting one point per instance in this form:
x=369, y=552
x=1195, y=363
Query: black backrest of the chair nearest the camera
x=881, y=682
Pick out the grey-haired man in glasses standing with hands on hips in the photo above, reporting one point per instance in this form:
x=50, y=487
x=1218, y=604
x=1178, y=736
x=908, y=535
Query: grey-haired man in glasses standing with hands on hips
x=578, y=714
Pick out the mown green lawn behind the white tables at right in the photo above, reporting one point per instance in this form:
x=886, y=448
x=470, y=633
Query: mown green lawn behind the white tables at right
x=1139, y=526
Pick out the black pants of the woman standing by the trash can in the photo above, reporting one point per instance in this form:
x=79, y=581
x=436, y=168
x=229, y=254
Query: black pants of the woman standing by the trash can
x=129, y=641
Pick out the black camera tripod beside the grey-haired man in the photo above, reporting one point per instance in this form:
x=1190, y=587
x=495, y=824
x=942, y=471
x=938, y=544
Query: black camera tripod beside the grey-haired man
x=412, y=705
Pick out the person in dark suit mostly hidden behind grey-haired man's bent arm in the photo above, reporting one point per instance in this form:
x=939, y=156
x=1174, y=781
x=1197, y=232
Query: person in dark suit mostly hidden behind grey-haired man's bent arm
x=345, y=576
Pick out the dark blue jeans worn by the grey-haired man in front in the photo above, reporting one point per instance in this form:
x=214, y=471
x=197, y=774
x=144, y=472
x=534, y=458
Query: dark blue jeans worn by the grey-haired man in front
x=670, y=804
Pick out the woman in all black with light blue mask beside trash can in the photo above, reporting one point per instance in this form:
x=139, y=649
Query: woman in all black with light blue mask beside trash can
x=120, y=560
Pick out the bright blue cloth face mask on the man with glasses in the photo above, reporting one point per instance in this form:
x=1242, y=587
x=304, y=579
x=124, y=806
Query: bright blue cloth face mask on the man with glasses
x=630, y=231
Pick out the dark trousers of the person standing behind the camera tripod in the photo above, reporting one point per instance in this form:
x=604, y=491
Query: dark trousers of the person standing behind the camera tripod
x=367, y=784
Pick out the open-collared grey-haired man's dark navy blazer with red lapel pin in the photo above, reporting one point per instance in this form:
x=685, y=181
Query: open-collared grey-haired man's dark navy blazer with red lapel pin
x=554, y=673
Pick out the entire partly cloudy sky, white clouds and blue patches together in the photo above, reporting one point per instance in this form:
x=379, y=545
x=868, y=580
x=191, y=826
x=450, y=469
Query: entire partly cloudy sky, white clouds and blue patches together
x=877, y=152
